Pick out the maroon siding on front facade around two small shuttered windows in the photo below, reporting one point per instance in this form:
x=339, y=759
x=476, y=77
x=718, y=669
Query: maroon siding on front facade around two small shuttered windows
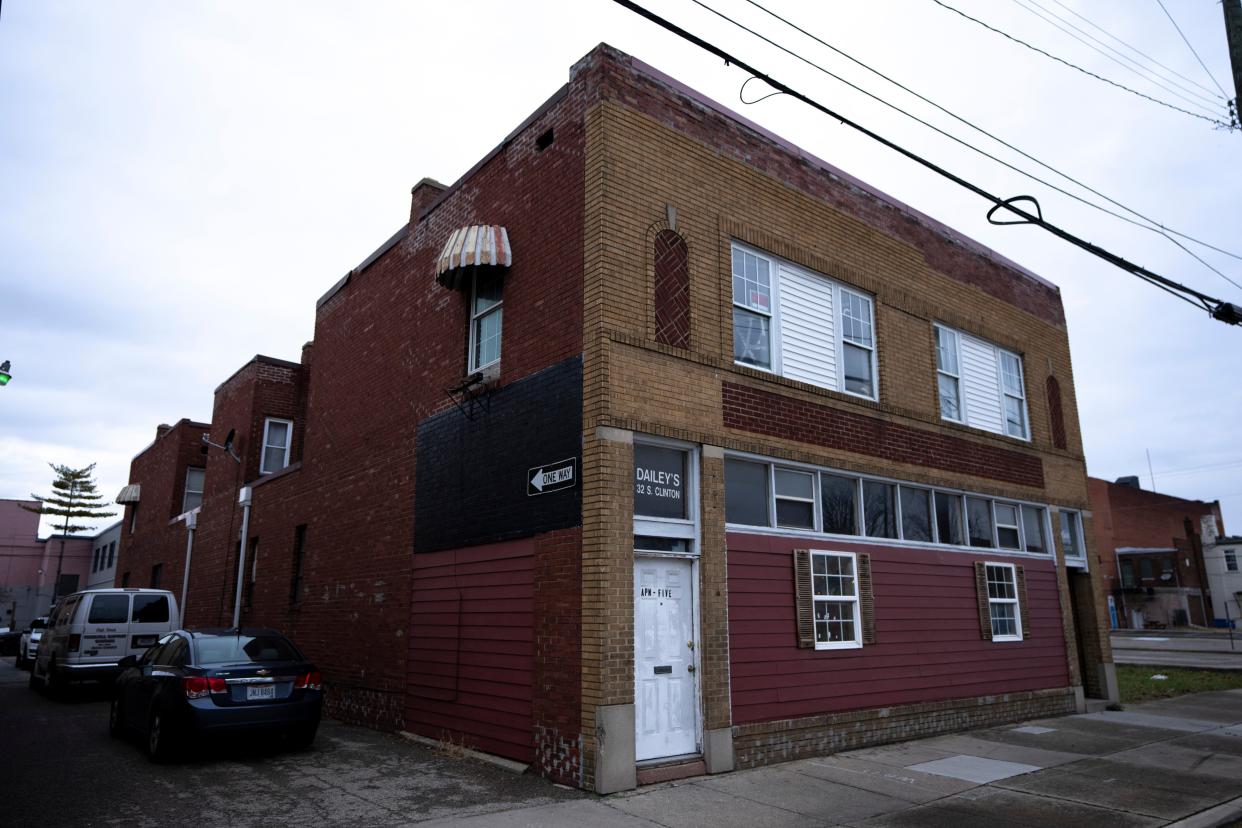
x=928, y=645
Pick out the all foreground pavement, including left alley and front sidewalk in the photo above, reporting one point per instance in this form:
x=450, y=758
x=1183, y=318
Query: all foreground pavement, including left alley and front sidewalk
x=1149, y=765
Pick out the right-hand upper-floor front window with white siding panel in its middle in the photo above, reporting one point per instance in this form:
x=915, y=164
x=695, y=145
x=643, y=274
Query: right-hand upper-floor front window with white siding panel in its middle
x=981, y=384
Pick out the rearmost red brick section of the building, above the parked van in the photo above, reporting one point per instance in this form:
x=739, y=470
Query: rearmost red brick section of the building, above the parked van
x=158, y=539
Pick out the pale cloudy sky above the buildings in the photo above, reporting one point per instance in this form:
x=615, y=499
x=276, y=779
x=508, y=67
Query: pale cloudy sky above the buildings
x=179, y=183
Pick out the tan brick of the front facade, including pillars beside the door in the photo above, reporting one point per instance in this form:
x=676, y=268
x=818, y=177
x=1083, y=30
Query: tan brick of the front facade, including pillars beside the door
x=635, y=168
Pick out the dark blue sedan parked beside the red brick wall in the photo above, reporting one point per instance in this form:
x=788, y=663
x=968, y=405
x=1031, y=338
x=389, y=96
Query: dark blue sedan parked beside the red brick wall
x=217, y=682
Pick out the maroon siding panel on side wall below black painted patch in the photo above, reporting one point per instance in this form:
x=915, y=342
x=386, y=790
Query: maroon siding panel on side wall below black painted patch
x=471, y=665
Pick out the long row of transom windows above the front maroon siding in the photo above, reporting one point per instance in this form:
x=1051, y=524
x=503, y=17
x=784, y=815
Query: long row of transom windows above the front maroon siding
x=777, y=496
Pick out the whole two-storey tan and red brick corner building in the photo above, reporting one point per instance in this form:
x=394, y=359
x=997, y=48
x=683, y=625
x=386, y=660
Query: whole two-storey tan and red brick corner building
x=656, y=446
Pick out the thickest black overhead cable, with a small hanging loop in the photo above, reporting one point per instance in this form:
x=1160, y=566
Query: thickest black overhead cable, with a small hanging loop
x=1217, y=308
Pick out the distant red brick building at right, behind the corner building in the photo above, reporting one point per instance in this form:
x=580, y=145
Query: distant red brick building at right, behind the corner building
x=1152, y=556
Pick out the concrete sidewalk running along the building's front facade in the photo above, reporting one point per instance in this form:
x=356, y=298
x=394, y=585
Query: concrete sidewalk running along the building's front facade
x=1177, y=762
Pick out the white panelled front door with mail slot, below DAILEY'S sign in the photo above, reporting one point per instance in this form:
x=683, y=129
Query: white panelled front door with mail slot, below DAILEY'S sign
x=666, y=691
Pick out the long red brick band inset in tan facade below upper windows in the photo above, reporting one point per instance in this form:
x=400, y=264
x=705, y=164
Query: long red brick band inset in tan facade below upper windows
x=778, y=416
